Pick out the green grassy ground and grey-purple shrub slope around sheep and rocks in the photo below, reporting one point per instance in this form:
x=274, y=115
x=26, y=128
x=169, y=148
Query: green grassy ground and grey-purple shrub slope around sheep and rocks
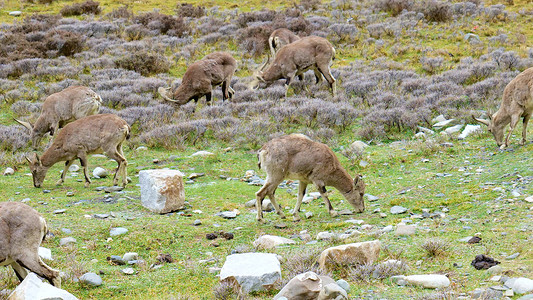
x=398, y=65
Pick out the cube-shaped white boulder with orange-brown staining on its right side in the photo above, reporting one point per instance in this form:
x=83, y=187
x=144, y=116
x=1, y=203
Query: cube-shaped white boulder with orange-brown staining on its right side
x=162, y=191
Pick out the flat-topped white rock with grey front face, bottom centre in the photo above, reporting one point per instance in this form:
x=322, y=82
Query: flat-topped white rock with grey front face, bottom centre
x=252, y=271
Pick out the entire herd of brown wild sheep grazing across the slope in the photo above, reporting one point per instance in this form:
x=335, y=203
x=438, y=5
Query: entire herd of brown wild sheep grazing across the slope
x=70, y=116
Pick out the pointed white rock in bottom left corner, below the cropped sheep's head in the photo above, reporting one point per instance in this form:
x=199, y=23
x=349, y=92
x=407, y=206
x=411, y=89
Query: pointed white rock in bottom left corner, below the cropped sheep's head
x=33, y=288
